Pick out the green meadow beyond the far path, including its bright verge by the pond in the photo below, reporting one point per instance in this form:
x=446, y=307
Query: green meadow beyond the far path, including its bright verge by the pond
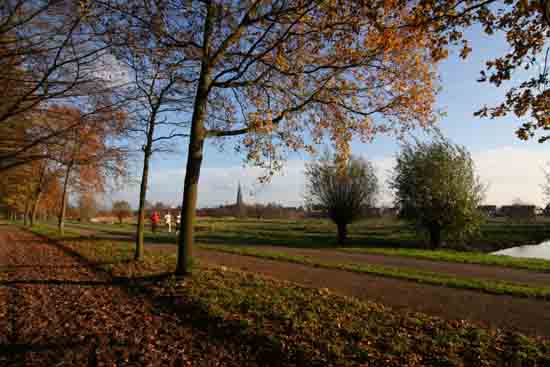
x=370, y=236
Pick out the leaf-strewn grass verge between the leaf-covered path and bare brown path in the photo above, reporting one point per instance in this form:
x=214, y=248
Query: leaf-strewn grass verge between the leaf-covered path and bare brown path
x=295, y=325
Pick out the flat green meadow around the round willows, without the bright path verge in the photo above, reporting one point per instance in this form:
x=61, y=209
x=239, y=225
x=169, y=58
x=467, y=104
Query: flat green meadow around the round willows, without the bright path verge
x=314, y=233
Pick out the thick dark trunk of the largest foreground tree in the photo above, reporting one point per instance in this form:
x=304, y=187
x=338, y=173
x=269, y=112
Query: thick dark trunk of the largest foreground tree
x=194, y=156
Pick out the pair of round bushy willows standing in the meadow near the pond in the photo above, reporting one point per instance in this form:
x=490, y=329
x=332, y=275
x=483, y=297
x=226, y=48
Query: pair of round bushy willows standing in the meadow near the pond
x=435, y=185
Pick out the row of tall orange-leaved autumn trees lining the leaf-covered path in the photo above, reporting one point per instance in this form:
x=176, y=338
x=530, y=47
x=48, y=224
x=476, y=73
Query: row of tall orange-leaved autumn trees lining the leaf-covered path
x=276, y=75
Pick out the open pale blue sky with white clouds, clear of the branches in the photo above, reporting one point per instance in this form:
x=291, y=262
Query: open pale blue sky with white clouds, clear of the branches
x=511, y=168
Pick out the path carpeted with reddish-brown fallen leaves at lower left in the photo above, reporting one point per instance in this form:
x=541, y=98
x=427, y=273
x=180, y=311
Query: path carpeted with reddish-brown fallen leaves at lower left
x=55, y=310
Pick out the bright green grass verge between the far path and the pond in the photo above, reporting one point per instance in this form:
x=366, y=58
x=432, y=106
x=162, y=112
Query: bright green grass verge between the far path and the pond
x=464, y=257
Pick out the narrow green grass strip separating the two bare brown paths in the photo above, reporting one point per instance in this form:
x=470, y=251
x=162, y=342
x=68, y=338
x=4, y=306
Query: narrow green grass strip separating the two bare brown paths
x=487, y=286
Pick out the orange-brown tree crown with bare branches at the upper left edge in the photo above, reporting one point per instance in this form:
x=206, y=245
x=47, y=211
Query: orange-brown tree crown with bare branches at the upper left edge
x=49, y=54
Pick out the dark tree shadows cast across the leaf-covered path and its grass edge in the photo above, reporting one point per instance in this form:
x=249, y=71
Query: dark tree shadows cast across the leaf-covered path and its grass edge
x=252, y=348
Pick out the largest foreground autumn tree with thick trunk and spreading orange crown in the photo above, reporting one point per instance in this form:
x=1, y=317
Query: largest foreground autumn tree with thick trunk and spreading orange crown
x=284, y=75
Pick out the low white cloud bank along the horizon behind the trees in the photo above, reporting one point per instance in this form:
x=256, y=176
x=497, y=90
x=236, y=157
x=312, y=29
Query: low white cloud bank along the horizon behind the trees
x=510, y=172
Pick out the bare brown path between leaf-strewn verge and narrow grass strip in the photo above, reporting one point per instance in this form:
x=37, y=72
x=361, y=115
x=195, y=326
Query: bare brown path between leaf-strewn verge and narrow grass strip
x=526, y=315
